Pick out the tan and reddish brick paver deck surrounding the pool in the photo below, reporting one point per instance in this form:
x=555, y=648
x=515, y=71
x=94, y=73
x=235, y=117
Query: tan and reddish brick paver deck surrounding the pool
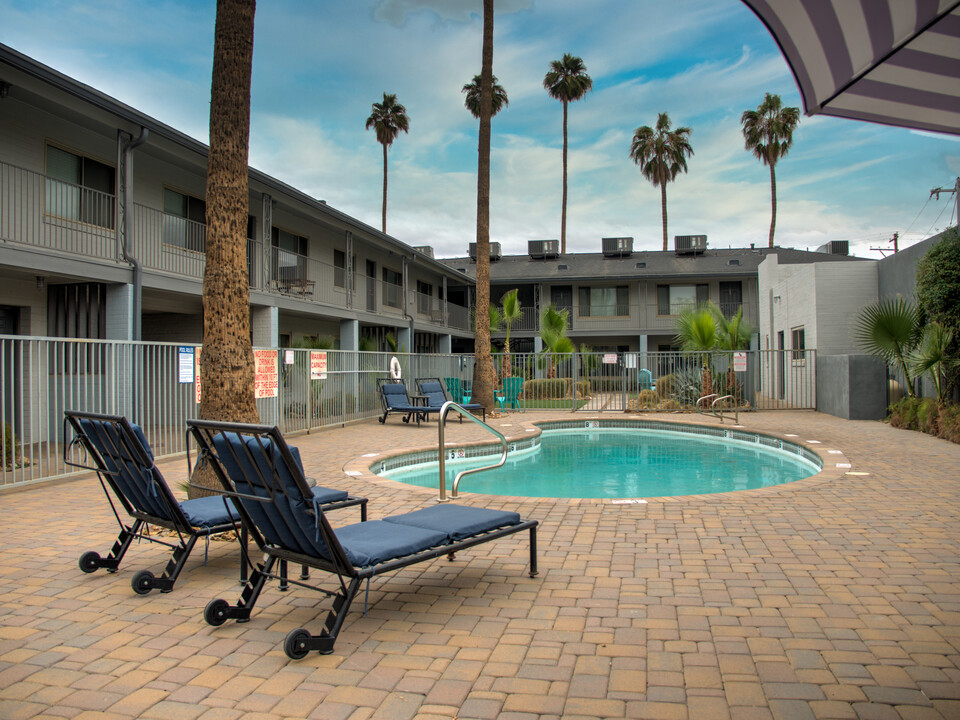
x=835, y=597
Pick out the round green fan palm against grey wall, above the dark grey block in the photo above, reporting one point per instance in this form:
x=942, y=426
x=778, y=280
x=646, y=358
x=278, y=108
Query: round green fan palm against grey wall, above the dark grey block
x=892, y=330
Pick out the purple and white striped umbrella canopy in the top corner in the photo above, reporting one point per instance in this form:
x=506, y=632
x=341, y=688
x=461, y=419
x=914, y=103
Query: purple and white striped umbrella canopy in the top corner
x=895, y=62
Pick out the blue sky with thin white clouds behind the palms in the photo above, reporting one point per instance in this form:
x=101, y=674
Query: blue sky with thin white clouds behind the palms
x=318, y=66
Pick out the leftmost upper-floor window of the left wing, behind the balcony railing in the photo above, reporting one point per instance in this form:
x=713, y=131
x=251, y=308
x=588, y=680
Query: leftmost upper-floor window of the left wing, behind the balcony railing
x=79, y=188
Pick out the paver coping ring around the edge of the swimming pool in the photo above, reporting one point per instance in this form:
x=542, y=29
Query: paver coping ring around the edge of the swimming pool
x=833, y=461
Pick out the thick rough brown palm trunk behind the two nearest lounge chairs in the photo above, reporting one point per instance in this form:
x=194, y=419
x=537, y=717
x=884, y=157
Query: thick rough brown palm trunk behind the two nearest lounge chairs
x=227, y=358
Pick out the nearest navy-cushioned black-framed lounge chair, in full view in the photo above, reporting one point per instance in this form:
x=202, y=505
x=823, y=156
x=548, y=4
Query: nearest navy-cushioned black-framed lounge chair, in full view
x=257, y=469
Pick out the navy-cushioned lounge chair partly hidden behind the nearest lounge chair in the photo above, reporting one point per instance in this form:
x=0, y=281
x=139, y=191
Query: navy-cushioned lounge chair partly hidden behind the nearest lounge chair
x=123, y=460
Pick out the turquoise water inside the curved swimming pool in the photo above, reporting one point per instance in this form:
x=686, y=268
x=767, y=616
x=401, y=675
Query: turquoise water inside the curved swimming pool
x=616, y=463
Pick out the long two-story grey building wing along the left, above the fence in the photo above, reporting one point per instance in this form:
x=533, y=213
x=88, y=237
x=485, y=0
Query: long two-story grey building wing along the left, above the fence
x=102, y=232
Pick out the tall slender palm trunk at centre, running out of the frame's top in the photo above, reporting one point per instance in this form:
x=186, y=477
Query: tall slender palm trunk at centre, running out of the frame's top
x=483, y=366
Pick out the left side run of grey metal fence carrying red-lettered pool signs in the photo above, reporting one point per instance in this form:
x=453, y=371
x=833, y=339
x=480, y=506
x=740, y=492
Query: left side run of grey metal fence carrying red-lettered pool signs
x=154, y=384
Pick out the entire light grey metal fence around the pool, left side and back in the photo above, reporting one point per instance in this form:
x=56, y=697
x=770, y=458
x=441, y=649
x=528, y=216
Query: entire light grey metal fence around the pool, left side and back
x=154, y=384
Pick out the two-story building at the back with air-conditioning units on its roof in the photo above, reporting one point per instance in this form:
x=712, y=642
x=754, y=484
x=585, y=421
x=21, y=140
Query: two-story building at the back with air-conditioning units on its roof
x=625, y=300
